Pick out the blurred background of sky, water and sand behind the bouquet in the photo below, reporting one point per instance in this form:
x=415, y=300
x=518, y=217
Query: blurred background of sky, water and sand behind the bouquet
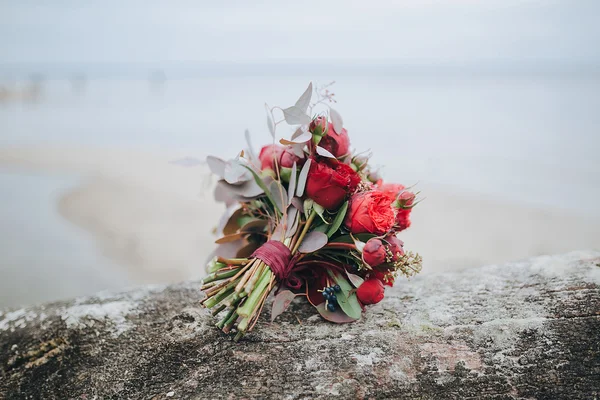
x=492, y=108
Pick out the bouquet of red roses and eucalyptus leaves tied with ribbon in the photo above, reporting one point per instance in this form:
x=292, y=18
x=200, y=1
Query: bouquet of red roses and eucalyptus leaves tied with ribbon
x=306, y=217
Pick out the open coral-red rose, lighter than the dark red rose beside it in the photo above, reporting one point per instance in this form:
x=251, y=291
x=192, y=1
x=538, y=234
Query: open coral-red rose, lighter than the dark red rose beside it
x=370, y=212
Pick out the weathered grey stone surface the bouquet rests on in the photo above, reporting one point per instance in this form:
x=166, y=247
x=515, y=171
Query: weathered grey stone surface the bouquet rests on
x=528, y=329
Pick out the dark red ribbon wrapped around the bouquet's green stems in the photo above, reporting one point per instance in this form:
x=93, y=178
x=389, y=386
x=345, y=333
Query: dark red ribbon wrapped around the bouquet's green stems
x=279, y=258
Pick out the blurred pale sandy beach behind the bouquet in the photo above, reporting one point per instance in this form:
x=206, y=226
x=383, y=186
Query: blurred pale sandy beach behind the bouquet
x=154, y=218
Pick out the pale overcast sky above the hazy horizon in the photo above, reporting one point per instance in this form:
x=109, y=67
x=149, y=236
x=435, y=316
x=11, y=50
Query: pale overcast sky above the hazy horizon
x=414, y=31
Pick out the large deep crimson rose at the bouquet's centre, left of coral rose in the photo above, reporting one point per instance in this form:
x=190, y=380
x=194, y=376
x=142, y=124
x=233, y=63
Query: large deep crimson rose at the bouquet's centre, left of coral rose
x=329, y=182
